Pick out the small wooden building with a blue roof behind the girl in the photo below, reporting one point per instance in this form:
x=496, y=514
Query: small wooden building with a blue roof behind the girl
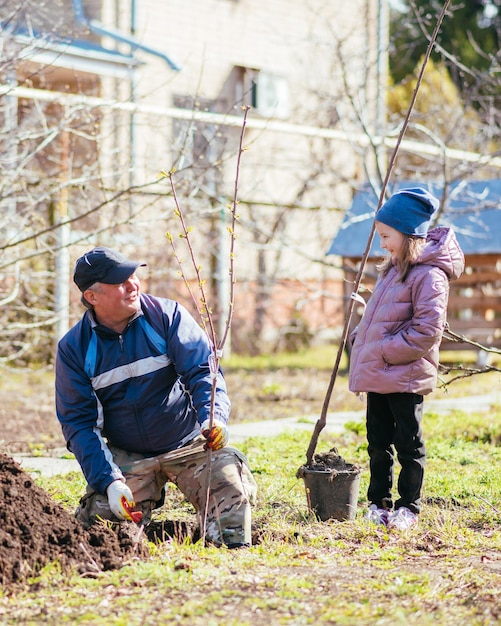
x=473, y=210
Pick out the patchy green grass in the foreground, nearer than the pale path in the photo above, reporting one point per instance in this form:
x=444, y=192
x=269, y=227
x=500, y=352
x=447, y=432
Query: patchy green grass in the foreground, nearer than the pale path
x=446, y=571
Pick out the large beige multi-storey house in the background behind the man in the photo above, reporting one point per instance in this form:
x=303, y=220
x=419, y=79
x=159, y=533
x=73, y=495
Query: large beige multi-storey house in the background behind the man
x=99, y=96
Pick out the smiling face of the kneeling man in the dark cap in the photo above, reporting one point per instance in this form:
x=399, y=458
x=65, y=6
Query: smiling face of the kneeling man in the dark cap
x=114, y=305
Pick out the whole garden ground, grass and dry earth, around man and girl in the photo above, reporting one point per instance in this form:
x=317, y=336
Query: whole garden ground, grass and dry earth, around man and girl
x=299, y=571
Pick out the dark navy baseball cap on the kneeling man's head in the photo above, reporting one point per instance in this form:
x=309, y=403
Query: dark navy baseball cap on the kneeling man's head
x=103, y=265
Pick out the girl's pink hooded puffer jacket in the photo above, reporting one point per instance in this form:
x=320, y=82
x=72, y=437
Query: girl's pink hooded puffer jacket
x=396, y=344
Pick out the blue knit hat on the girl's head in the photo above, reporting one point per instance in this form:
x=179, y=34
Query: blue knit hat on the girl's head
x=409, y=211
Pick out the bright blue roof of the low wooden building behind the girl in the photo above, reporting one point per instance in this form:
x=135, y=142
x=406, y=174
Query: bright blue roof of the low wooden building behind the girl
x=472, y=209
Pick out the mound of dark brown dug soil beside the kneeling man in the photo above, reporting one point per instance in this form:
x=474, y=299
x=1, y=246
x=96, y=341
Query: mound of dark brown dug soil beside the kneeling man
x=35, y=531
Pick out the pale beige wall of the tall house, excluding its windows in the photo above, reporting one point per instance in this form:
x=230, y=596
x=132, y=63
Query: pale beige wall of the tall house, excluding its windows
x=293, y=186
